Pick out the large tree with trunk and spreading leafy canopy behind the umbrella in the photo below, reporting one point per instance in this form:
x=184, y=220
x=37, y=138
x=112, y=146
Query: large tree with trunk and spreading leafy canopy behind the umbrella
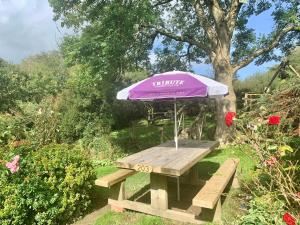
x=207, y=31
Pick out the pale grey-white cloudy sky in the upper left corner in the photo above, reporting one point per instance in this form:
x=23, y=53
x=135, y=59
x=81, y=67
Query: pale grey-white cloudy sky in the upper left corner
x=27, y=28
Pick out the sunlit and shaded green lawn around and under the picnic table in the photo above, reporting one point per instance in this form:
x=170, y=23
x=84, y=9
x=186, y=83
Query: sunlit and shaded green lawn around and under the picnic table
x=141, y=136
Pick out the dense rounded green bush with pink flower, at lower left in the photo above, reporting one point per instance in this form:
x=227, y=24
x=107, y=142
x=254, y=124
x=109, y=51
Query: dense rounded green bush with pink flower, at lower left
x=52, y=186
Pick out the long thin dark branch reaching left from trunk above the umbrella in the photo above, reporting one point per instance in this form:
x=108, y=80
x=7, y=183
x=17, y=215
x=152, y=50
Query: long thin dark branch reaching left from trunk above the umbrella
x=182, y=38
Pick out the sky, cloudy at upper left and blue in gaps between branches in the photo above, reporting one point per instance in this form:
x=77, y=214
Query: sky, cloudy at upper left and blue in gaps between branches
x=27, y=28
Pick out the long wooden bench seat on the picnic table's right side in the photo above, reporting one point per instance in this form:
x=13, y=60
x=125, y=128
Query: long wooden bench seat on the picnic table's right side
x=208, y=196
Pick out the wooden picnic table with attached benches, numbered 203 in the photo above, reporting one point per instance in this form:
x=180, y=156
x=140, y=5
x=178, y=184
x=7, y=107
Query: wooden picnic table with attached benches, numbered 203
x=165, y=163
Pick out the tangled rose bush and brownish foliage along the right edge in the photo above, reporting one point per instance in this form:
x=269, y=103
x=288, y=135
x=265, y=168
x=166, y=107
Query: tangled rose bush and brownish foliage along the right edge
x=275, y=142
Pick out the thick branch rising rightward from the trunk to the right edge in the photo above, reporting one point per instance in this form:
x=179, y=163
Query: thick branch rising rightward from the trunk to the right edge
x=275, y=42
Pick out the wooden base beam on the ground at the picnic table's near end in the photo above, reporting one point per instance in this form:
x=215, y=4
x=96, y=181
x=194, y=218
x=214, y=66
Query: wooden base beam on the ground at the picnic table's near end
x=145, y=208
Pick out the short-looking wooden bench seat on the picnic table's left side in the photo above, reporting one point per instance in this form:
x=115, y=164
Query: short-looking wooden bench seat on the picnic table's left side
x=116, y=177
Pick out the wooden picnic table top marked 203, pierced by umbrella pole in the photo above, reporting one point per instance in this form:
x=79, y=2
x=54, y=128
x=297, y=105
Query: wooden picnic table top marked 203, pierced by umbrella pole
x=165, y=159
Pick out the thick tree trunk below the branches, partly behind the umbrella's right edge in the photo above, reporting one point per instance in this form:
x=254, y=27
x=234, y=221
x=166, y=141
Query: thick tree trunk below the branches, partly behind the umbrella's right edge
x=224, y=74
